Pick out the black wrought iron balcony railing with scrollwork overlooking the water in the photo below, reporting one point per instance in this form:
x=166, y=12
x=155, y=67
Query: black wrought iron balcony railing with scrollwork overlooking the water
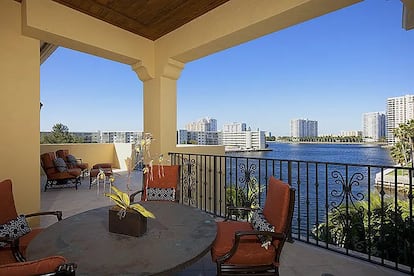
x=363, y=211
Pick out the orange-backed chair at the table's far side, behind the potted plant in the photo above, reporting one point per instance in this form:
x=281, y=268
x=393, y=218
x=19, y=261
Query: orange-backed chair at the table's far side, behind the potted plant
x=160, y=183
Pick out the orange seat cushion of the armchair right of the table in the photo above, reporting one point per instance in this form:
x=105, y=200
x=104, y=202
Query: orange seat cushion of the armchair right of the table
x=250, y=250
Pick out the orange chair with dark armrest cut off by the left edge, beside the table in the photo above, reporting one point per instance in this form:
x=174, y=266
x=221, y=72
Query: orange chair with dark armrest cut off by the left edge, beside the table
x=16, y=249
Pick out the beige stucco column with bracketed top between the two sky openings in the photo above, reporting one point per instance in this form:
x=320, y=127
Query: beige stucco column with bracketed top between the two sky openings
x=160, y=105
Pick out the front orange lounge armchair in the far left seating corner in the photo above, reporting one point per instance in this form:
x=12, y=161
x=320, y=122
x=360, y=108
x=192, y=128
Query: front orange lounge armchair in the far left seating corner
x=58, y=176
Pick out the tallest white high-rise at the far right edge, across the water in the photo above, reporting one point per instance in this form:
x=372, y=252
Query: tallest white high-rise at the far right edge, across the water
x=399, y=111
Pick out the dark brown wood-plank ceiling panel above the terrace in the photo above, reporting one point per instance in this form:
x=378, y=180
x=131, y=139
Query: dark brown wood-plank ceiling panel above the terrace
x=148, y=18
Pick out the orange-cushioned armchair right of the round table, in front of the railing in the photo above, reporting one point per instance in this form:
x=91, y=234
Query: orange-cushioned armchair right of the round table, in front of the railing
x=237, y=248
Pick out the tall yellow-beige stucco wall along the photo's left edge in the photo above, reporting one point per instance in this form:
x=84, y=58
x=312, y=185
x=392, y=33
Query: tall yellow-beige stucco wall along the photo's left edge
x=19, y=114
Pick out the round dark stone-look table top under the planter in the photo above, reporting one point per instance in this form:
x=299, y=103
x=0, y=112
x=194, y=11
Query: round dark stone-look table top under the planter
x=176, y=238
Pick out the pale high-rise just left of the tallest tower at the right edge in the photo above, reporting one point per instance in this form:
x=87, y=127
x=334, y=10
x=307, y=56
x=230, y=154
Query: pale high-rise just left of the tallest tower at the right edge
x=373, y=125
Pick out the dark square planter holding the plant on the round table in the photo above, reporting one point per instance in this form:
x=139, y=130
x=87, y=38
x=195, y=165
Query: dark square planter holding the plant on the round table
x=133, y=224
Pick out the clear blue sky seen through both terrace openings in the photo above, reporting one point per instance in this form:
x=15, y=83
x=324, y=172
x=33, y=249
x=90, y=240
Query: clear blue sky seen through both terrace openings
x=331, y=69
